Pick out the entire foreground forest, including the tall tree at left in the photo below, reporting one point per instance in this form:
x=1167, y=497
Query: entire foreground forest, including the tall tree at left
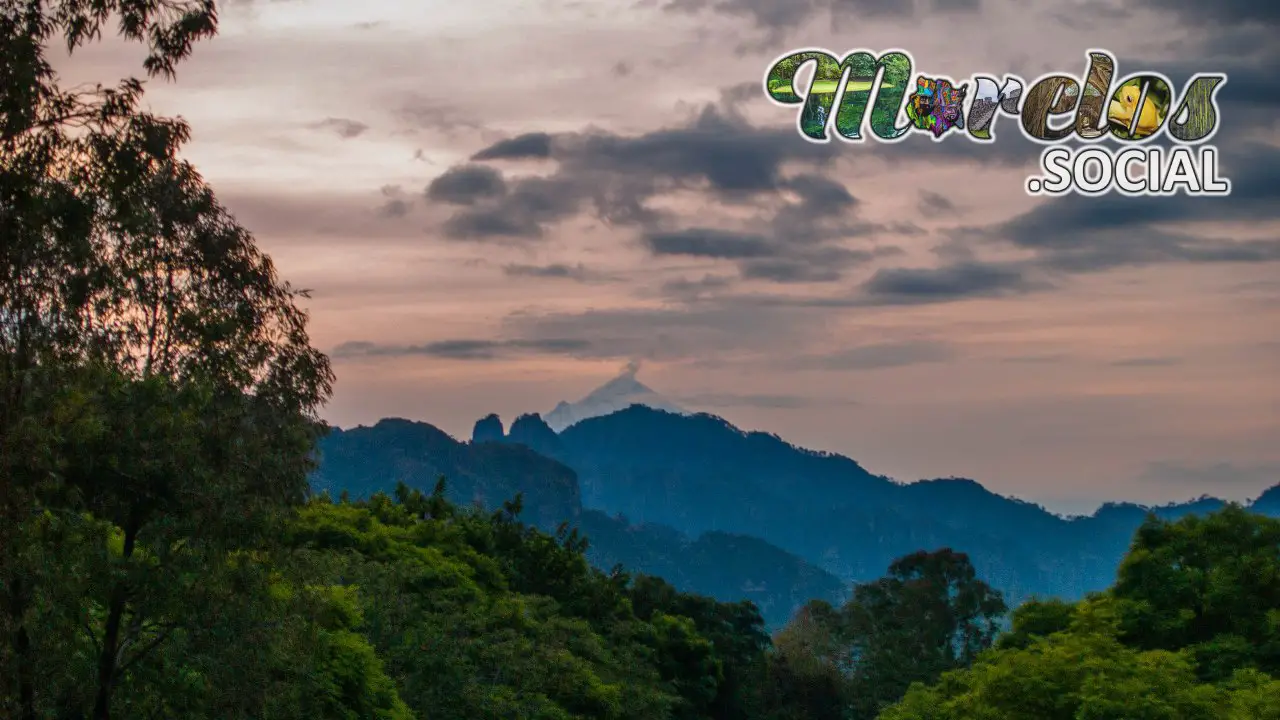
x=162, y=555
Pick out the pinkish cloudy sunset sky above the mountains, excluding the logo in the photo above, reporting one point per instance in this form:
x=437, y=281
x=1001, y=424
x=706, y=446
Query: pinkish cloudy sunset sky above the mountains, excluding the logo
x=499, y=206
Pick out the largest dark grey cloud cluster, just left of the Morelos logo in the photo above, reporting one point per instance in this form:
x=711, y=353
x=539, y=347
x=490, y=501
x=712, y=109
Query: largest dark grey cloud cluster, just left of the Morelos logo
x=716, y=153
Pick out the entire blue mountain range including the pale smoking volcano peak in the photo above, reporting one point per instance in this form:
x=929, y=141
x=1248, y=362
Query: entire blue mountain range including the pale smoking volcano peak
x=737, y=514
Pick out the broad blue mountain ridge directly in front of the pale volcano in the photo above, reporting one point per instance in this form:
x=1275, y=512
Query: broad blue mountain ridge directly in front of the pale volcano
x=701, y=475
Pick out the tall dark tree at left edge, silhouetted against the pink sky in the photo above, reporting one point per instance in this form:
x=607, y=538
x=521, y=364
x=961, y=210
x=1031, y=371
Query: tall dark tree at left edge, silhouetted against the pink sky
x=154, y=371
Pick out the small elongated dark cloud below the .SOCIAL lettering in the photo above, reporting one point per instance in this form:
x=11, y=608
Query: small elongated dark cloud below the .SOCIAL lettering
x=961, y=281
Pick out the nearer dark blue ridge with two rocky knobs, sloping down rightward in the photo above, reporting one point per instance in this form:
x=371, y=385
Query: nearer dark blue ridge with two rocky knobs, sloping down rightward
x=496, y=467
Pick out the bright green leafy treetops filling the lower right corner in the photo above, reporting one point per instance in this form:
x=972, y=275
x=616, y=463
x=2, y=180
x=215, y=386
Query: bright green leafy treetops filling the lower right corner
x=1187, y=632
